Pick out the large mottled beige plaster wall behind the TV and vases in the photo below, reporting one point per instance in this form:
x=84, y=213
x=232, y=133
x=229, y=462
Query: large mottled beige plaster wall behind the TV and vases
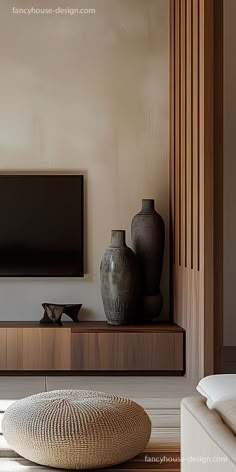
x=86, y=93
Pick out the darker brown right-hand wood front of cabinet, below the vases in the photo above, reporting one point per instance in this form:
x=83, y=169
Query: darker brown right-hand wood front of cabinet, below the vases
x=127, y=351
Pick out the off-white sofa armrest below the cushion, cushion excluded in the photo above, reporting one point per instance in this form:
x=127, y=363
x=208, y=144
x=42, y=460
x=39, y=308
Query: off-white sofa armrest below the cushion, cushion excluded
x=207, y=444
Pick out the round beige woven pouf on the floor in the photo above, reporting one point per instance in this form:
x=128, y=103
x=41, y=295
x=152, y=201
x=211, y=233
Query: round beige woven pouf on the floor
x=76, y=429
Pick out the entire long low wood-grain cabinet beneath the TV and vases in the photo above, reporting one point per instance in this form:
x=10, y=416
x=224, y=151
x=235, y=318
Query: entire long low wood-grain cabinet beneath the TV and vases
x=91, y=348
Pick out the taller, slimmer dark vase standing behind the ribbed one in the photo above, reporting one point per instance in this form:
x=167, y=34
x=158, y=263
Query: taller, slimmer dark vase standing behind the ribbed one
x=148, y=239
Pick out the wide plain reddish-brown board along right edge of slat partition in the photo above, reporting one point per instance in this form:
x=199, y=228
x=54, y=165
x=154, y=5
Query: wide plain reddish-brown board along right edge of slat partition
x=206, y=136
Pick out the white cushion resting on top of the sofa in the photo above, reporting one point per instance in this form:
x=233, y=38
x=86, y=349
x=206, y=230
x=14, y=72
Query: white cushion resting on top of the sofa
x=217, y=388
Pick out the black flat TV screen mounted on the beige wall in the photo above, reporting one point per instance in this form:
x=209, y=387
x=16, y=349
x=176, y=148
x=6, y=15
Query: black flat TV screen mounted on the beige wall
x=41, y=225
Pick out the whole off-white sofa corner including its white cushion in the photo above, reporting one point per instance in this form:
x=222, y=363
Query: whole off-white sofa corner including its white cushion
x=208, y=426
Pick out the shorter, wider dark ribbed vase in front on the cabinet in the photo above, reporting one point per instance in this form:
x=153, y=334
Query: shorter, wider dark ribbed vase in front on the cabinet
x=119, y=277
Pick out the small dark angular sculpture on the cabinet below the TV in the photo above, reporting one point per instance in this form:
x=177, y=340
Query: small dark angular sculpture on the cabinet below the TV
x=53, y=312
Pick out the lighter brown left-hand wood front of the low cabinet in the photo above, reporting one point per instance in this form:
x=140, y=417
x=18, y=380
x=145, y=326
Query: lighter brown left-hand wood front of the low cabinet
x=38, y=348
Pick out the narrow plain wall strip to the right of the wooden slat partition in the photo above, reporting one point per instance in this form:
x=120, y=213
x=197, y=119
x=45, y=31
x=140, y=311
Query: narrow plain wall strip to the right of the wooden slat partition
x=229, y=172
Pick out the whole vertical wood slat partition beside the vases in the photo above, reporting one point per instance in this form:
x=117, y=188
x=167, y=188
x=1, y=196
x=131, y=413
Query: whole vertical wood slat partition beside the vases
x=195, y=167
